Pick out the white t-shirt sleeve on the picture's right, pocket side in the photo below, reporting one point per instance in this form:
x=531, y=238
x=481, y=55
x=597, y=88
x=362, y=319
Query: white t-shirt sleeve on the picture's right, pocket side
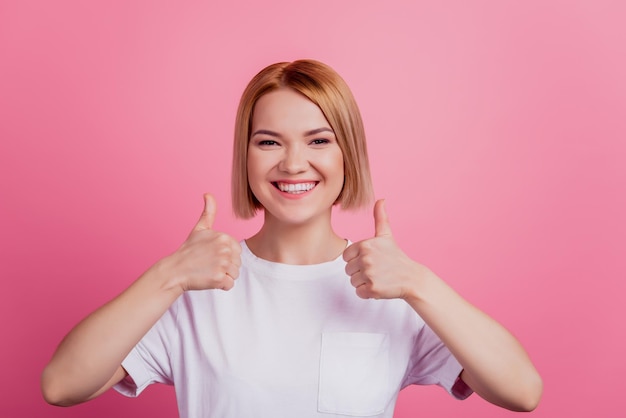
x=432, y=363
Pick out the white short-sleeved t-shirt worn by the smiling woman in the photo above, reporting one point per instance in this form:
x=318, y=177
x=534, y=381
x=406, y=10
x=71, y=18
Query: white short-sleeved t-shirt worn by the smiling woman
x=288, y=341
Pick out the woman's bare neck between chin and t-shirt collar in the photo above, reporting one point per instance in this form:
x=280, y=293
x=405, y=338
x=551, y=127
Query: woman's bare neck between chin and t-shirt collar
x=310, y=243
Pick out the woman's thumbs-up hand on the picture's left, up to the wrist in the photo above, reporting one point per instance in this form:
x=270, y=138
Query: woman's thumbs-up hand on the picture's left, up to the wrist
x=208, y=259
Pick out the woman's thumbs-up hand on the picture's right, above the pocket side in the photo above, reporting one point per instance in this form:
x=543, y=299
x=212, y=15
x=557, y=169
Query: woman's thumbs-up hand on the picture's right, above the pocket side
x=377, y=267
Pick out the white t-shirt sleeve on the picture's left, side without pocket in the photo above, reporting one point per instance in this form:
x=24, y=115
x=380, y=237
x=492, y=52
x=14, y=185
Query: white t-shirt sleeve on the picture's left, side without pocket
x=149, y=361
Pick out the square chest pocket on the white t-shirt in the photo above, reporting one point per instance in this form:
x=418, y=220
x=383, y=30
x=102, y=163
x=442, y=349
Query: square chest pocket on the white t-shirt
x=354, y=374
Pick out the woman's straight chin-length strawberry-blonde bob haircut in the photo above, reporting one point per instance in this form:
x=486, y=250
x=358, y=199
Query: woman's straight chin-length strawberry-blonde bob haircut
x=324, y=87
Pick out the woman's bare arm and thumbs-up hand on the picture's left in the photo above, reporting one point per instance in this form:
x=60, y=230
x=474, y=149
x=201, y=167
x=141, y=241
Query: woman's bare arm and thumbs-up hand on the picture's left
x=88, y=360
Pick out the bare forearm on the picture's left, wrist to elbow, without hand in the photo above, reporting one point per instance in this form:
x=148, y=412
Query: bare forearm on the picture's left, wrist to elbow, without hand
x=89, y=356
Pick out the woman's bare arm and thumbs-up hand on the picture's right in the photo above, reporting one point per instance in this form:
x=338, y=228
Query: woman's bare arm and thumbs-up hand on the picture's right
x=495, y=364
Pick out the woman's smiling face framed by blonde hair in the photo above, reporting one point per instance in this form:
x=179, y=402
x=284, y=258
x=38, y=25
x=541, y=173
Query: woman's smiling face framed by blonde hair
x=295, y=165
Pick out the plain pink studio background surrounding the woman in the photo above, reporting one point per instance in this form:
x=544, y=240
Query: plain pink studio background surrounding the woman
x=497, y=134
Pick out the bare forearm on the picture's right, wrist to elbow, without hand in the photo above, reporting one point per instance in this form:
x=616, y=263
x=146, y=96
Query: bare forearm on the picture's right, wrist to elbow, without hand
x=495, y=364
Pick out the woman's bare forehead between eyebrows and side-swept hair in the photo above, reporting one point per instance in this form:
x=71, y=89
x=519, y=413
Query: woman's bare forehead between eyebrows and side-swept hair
x=286, y=108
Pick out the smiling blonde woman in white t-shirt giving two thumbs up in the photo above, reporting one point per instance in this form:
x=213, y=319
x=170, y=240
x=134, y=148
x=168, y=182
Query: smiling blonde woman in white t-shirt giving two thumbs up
x=311, y=324
